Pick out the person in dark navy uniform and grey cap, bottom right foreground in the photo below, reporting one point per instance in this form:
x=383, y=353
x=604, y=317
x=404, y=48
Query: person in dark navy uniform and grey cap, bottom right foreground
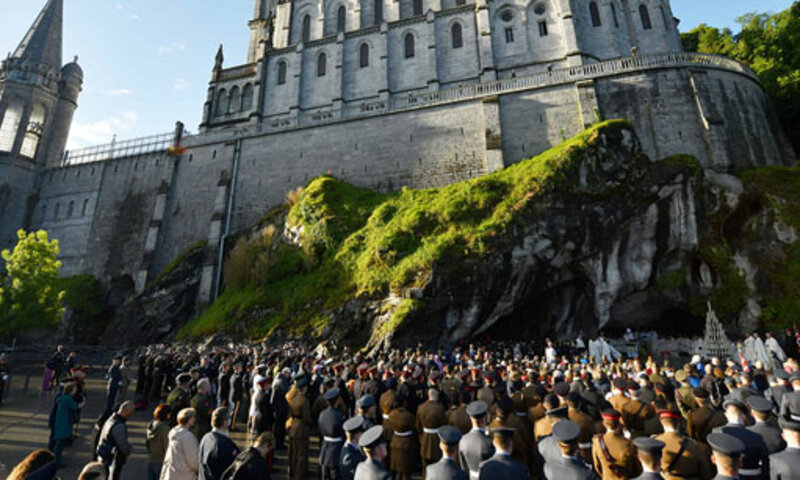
x=755, y=463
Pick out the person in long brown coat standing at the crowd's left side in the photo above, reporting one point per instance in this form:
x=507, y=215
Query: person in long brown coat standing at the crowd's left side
x=298, y=427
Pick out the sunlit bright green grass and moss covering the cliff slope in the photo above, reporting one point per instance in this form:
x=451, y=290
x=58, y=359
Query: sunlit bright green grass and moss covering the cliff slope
x=358, y=243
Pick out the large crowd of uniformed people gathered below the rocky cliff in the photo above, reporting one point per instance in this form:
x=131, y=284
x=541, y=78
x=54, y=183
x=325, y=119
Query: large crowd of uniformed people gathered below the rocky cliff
x=493, y=410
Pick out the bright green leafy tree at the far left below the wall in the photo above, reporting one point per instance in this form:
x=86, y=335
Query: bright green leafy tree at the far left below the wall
x=29, y=293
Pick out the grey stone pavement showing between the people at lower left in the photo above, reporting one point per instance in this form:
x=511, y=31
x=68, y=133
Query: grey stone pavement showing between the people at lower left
x=23, y=429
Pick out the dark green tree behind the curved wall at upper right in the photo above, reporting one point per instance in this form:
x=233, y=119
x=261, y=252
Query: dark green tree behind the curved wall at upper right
x=770, y=45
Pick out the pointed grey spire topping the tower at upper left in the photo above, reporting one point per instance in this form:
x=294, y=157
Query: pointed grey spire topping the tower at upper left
x=42, y=43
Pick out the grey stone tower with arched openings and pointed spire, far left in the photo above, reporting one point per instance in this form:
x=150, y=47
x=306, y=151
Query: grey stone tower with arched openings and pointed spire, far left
x=38, y=98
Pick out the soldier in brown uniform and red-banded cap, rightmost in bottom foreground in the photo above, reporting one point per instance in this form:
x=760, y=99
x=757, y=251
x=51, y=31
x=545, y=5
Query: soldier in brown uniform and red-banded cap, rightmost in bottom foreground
x=681, y=457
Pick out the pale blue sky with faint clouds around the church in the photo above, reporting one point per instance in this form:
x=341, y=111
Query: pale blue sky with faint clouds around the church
x=147, y=63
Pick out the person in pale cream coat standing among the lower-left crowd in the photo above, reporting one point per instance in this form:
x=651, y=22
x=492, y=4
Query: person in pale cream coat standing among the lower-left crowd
x=182, y=459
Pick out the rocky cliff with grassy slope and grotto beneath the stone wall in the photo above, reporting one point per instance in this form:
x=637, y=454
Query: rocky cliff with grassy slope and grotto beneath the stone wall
x=591, y=235
